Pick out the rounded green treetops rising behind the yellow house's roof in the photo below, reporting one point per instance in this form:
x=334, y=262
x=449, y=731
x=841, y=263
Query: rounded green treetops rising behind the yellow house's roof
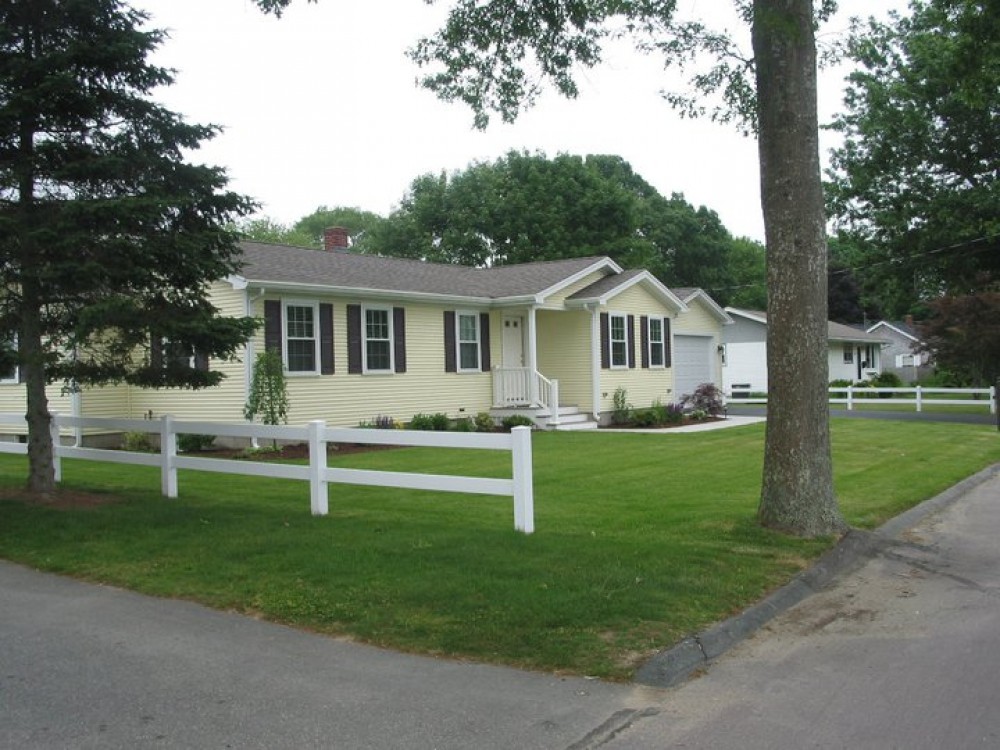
x=526, y=207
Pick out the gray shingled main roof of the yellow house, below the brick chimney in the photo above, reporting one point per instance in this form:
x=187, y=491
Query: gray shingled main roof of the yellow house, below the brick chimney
x=282, y=264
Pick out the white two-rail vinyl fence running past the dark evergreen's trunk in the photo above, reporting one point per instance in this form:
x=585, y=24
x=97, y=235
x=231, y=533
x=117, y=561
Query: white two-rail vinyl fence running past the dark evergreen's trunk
x=317, y=473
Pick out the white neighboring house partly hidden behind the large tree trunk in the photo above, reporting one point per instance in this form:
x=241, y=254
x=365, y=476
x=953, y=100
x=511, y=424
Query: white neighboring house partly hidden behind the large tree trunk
x=854, y=354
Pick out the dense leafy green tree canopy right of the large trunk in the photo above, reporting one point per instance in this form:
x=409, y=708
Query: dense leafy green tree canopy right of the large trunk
x=916, y=179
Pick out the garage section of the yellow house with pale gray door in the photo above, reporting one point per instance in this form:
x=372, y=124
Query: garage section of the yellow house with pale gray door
x=698, y=342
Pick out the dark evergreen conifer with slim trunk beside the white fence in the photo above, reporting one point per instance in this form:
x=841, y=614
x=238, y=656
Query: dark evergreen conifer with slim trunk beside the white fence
x=108, y=238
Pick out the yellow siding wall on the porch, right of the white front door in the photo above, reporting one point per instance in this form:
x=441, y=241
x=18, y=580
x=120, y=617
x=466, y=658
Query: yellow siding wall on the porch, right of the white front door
x=564, y=353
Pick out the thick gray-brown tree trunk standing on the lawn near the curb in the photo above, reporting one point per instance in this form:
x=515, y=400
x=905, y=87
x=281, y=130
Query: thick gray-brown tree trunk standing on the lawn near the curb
x=797, y=494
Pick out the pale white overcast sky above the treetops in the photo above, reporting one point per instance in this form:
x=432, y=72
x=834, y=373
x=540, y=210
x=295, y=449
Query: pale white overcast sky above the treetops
x=320, y=107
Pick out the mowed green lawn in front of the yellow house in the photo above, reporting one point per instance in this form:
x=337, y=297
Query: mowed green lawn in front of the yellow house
x=641, y=539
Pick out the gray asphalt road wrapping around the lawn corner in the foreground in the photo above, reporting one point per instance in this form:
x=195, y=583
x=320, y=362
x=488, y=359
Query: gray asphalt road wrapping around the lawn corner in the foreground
x=904, y=653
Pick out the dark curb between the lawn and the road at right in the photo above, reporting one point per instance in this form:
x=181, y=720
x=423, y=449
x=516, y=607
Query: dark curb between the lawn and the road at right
x=670, y=667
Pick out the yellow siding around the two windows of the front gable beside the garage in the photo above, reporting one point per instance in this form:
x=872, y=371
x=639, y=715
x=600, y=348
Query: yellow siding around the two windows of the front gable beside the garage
x=644, y=385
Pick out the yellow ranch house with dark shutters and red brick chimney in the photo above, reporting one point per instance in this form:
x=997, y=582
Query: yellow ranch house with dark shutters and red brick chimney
x=363, y=336
